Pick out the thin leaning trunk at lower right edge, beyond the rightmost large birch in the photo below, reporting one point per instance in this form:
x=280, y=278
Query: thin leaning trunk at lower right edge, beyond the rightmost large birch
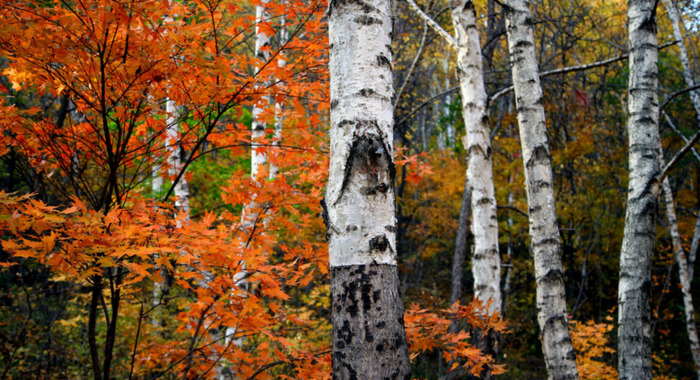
x=682, y=262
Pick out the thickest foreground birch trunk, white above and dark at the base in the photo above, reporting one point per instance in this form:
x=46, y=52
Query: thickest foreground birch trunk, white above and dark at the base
x=369, y=341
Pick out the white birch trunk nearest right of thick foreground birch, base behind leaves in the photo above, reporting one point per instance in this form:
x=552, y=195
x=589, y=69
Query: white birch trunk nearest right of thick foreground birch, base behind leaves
x=486, y=262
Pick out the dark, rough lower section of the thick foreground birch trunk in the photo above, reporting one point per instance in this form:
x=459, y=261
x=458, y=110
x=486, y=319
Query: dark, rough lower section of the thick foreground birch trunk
x=369, y=341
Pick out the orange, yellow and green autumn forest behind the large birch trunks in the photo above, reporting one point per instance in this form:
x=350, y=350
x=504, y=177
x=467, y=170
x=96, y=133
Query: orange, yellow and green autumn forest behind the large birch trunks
x=162, y=167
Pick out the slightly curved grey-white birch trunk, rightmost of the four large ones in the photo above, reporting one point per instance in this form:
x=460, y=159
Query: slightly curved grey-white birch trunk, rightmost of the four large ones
x=634, y=333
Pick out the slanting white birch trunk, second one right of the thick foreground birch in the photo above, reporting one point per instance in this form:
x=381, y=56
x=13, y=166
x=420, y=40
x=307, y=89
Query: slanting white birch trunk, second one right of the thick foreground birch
x=559, y=354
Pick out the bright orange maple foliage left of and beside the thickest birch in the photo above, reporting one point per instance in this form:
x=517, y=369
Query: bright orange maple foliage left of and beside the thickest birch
x=83, y=115
